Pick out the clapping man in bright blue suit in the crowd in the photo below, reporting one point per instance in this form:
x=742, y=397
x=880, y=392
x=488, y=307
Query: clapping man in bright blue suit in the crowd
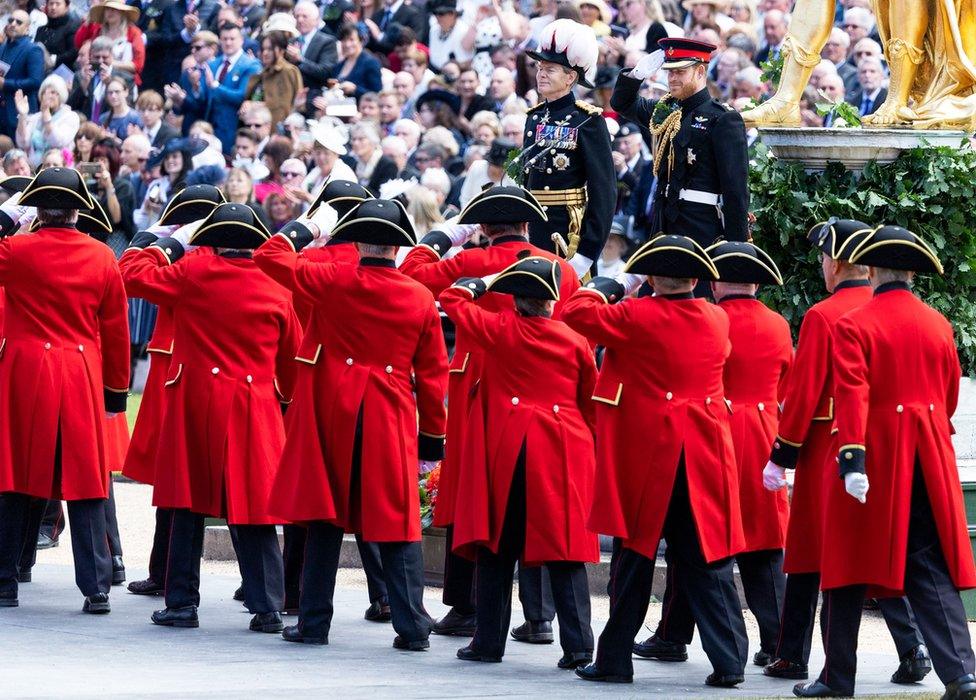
x=218, y=87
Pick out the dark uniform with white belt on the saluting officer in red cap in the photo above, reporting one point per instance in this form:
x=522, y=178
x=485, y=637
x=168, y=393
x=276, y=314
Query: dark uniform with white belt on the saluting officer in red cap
x=705, y=193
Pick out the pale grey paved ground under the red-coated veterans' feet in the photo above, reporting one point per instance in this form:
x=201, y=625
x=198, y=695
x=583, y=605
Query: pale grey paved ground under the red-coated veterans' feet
x=48, y=648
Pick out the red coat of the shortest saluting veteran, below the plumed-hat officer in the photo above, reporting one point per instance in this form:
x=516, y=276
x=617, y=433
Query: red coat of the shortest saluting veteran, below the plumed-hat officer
x=554, y=419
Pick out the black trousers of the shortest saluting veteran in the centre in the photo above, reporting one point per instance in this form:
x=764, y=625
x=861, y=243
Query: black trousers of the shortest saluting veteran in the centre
x=495, y=573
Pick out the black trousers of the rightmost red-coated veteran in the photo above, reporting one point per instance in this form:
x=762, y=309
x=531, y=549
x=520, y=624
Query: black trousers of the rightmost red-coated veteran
x=931, y=593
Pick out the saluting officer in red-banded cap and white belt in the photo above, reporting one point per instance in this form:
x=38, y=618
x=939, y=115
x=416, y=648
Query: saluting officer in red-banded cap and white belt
x=701, y=161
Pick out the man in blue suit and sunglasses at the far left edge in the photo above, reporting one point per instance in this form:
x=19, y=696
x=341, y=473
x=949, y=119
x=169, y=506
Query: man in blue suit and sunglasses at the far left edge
x=26, y=61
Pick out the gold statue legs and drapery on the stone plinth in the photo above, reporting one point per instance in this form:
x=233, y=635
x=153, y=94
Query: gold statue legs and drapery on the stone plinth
x=930, y=46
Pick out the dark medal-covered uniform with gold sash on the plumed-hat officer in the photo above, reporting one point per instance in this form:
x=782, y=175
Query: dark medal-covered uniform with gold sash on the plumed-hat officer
x=566, y=164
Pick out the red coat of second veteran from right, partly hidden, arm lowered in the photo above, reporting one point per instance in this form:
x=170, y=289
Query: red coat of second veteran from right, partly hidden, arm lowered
x=807, y=420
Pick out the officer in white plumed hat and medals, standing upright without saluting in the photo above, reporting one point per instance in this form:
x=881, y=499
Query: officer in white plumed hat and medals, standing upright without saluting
x=565, y=160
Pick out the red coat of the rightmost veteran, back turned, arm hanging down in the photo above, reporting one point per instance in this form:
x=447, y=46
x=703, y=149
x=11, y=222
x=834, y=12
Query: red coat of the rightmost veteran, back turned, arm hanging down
x=897, y=376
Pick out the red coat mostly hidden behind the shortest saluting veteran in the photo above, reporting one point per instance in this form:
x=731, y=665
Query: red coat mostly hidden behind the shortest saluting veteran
x=425, y=266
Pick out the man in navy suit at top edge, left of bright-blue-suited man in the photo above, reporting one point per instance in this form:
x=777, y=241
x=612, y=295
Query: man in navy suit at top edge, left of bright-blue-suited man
x=167, y=46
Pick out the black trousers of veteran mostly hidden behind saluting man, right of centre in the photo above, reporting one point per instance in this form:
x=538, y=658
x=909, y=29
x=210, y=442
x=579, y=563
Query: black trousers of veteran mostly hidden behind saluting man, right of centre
x=764, y=585
